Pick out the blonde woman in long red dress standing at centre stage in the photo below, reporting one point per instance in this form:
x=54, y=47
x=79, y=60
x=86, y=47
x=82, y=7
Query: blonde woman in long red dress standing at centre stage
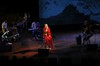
x=48, y=42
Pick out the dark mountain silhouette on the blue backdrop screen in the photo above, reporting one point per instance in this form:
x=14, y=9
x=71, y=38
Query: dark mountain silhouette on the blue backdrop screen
x=69, y=15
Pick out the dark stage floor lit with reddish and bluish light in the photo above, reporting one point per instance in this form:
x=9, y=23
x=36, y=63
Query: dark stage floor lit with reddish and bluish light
x=65, y=46
